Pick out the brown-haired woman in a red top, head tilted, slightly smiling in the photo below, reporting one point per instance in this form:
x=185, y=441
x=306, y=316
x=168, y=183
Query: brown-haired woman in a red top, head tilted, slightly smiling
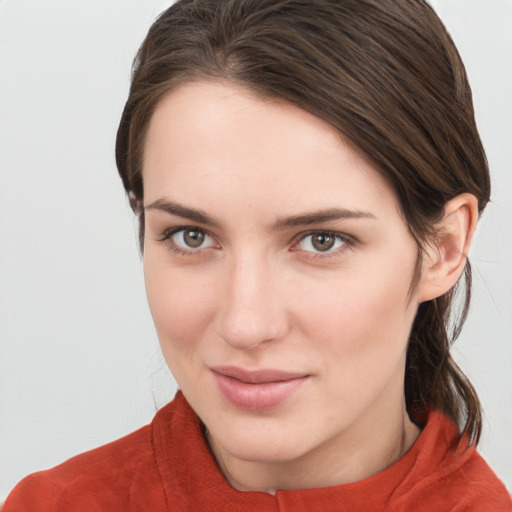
x=308, y=177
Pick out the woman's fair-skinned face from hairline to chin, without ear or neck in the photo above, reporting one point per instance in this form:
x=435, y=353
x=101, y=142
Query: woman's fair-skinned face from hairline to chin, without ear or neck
x=277, y=269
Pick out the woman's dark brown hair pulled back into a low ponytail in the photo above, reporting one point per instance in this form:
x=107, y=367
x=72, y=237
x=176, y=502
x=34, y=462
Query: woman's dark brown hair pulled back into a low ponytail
x=386, y=75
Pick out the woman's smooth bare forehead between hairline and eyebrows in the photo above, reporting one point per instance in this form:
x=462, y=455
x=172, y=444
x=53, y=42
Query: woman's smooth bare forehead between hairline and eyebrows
x=210, y=140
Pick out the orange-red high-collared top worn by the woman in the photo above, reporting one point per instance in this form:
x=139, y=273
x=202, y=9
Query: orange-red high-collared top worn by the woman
x=167, y=466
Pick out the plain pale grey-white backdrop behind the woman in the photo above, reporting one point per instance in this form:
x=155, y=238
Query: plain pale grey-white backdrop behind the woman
x=79, y=358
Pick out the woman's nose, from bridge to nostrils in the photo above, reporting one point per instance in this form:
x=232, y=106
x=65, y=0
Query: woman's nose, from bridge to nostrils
x=251, y=311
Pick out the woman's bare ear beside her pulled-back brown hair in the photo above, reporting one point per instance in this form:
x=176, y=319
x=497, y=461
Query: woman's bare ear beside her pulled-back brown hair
x=445, y=258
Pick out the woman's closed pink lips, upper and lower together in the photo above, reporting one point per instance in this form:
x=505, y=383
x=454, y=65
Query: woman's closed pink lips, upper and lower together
x=257, y=390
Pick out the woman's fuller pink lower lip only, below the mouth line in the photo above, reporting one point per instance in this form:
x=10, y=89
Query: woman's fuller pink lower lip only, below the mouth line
x=257, y=397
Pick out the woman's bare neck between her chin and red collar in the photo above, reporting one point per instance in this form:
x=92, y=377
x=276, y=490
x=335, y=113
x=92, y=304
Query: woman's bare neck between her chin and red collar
x=372, y=444
